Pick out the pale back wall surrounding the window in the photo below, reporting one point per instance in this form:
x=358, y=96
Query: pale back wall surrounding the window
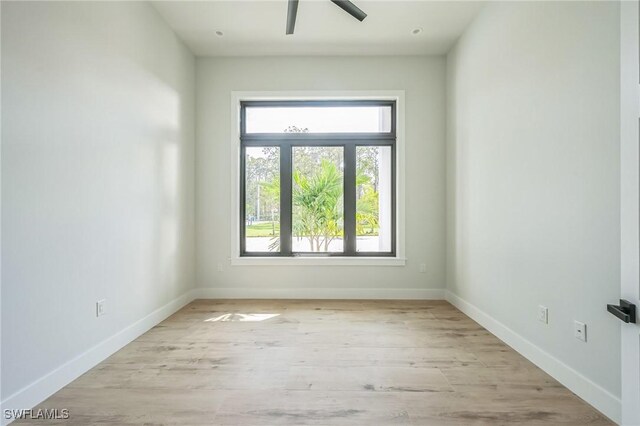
x=423, y=80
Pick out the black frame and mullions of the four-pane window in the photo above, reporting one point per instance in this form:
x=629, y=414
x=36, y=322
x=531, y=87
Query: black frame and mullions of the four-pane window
x=286, y=142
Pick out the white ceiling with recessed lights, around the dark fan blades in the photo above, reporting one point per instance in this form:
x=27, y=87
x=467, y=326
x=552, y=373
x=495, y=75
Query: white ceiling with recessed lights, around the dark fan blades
x=258, y=27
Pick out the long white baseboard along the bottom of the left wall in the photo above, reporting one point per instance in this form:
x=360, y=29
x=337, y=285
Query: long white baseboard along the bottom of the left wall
x=41, y=389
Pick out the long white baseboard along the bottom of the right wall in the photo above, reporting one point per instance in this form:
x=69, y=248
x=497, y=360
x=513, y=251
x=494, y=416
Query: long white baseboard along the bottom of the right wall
x=592, y=393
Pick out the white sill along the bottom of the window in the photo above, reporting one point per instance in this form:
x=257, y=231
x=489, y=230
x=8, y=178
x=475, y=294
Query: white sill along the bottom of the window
x=318, y=261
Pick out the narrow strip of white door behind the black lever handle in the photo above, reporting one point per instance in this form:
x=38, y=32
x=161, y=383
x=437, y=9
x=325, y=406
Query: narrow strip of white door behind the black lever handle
x=630, y=202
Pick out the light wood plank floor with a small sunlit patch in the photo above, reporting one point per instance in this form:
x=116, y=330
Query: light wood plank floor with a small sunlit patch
x=319, y=362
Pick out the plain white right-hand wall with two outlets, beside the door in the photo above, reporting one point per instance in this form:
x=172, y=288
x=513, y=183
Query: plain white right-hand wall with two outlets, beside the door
x=533, y=177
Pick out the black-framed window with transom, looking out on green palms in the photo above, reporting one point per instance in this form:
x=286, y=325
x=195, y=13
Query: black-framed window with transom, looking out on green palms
x=317, y=178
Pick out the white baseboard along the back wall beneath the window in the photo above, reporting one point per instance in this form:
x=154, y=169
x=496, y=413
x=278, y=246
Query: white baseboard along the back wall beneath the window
x=319, y=293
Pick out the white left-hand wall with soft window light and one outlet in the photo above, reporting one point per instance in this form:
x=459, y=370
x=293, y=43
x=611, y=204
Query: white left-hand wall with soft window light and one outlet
x=97, y=173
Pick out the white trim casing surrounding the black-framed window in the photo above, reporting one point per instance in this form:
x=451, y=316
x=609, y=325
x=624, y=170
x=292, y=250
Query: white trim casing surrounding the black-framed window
x=363, y=139
